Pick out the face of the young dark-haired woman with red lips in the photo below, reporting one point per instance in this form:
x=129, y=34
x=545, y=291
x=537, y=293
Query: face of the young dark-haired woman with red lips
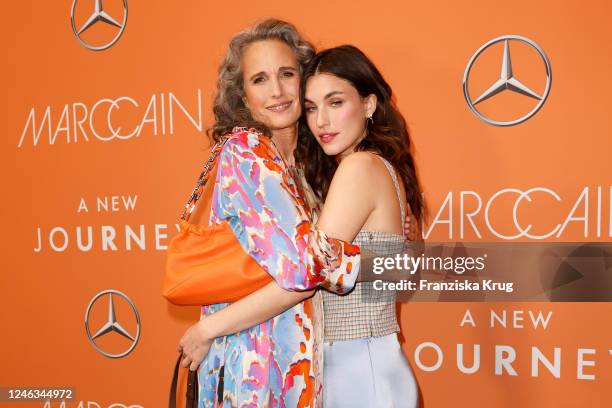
x=336, y=113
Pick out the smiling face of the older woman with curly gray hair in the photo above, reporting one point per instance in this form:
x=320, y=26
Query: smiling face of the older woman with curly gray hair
x=271, y=83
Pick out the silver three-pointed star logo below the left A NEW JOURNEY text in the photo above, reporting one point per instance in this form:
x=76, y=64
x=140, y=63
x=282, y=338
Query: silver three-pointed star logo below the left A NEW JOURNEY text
x=112, y=325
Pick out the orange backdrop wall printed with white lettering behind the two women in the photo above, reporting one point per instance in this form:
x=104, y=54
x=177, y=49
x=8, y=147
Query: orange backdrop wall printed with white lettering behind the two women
x=60, y=163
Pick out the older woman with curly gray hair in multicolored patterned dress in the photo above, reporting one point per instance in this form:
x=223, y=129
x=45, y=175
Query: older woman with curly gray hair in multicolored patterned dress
x=256, y=192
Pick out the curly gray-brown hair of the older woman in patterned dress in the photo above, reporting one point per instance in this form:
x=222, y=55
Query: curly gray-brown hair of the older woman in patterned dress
x=229, y=108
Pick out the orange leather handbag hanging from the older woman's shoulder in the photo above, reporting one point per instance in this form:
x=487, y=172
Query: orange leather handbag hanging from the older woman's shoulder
x=206, y=264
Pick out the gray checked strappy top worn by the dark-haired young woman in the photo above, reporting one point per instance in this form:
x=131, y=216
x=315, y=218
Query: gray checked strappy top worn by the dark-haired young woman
x=365, y=312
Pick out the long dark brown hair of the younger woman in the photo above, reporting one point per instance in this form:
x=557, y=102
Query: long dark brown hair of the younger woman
x=387, y=134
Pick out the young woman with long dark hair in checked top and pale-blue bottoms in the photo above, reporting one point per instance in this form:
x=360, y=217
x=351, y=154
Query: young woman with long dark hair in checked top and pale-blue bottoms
x=359, y=137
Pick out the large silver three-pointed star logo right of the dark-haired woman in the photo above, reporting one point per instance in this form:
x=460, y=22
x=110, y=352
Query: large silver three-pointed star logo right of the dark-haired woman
x=507, y=81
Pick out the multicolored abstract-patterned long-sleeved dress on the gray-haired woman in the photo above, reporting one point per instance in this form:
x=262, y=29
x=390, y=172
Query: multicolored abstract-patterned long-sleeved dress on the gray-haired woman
x=272, y=364
